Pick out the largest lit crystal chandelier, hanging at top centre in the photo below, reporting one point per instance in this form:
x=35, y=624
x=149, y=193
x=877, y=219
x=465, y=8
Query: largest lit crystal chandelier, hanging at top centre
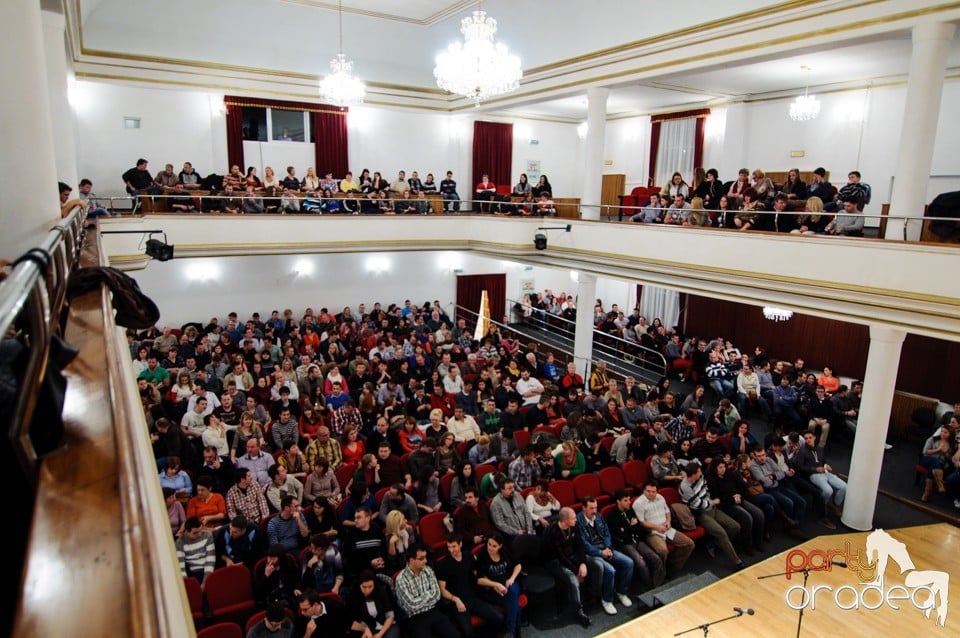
x=478, y=68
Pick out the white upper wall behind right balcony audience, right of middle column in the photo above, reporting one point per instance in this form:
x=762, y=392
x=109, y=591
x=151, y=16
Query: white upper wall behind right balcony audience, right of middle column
x=855, y=130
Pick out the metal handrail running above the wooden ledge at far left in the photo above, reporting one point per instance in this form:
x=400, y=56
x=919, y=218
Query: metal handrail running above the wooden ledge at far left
x=31, y=301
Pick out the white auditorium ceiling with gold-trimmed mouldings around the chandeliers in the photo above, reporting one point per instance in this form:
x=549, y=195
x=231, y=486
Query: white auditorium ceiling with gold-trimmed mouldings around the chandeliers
x=654, y=55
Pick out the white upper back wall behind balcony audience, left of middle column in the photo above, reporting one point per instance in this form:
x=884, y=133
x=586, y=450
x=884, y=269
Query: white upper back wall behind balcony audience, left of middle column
x=179, y=126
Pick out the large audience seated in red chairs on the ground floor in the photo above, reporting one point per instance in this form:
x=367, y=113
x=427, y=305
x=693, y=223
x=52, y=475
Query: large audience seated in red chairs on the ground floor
x=388, y=458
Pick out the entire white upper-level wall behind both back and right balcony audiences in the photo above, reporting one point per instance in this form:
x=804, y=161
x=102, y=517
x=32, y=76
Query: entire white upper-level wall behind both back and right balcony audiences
x=856, y=129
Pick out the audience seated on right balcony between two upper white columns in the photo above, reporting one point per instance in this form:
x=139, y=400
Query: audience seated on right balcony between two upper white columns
x=754, y=202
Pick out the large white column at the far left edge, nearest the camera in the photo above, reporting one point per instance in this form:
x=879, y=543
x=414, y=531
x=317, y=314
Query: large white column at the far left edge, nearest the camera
x=27, y=149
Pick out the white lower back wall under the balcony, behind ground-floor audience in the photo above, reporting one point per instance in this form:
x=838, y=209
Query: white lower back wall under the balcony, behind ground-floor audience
x=199, y=288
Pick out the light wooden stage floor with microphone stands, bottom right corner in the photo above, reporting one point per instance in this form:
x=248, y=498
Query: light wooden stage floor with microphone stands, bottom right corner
x=933, y=549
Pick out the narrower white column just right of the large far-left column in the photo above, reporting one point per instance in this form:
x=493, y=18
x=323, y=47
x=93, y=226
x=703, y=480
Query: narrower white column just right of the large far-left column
x=61, y=116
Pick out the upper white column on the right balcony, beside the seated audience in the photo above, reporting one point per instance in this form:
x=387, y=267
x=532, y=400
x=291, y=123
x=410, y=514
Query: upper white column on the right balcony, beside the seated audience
x=931, y=44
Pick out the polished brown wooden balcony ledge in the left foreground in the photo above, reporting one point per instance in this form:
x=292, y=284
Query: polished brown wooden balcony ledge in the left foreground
x=100, y=556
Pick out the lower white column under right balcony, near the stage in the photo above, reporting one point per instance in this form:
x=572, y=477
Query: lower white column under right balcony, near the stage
x=879, y=383
